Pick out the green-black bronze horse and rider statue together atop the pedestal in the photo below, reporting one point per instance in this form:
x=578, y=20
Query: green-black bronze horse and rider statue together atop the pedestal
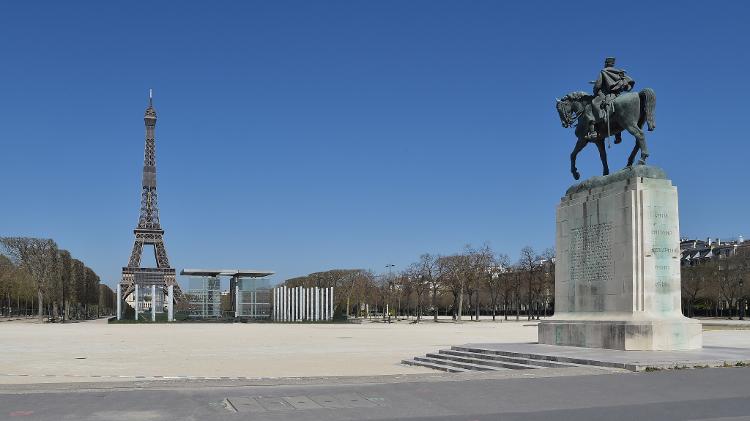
x=610, y=110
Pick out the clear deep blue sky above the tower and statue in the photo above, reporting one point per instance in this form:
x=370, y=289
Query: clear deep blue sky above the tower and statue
x=303, y=136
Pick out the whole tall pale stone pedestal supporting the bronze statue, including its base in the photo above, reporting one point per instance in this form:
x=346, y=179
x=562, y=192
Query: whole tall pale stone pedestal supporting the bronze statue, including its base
x=617, y=273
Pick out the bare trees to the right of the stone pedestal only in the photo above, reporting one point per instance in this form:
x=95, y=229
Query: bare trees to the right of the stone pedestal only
x=717, y=287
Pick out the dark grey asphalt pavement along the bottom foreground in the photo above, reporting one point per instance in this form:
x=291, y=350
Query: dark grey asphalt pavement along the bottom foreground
x=710, y=394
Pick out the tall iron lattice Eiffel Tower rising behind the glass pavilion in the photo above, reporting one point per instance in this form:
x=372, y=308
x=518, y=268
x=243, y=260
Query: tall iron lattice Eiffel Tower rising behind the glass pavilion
x=149, y=231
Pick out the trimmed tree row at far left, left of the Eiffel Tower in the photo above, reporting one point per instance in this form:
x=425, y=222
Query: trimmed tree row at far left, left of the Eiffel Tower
x=37, y=276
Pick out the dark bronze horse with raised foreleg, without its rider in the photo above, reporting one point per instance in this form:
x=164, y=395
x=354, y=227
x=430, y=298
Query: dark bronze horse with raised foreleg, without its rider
x=629, y=111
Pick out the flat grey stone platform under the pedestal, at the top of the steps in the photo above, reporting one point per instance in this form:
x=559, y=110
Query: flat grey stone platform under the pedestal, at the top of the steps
x=712, y=356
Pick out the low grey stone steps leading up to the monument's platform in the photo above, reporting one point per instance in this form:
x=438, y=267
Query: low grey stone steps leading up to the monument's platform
x=461, y=359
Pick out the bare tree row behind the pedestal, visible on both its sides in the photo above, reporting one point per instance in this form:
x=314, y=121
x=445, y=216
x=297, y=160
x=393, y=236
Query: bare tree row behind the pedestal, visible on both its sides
x=479, y=281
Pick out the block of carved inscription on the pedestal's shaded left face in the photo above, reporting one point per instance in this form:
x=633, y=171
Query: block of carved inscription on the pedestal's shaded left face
x=591, y=253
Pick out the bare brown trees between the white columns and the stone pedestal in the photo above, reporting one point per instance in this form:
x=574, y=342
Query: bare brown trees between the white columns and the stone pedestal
x=472, y=282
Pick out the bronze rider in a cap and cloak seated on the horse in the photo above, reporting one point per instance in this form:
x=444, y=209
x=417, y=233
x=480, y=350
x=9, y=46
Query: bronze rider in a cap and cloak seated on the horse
x=610, y=83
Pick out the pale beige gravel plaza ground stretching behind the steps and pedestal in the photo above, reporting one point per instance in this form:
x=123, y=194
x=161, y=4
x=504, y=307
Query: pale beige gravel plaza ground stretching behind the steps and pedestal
x=96, y=351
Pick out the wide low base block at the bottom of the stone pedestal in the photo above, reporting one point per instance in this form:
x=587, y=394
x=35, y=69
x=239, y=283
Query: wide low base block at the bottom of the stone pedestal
x=662, y=335
